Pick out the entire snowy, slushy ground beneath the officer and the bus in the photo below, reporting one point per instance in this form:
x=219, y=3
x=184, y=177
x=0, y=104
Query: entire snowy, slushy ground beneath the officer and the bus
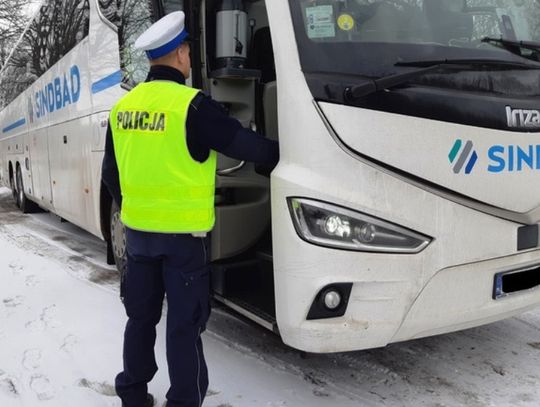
x=61, y=326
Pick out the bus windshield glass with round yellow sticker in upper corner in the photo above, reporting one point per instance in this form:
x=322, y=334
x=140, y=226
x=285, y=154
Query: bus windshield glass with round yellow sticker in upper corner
x=368, y=37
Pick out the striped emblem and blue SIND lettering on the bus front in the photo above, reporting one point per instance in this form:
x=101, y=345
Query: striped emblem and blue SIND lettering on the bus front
x=501, y=158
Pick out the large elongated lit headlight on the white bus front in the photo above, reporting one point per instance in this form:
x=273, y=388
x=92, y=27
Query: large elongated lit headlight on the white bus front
x=329, y=225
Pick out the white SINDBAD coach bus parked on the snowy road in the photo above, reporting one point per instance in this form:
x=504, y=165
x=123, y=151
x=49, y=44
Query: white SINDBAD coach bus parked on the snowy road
x=405, y=201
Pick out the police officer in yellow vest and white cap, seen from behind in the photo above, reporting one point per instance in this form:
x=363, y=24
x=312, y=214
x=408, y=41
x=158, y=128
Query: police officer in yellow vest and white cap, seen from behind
x=160, y=163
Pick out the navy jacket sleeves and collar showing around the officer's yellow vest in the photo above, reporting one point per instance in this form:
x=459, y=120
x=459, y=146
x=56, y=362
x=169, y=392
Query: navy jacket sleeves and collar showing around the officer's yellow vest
x=207, y=128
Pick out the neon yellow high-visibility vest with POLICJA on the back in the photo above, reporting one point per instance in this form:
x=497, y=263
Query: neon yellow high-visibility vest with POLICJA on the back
x=163, y=188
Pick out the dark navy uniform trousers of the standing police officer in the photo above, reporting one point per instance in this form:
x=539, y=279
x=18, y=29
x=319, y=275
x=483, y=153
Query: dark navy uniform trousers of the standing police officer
x=175, y=265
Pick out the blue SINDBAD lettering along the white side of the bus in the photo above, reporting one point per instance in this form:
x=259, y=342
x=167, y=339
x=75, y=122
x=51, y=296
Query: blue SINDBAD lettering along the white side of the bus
x=60, y=92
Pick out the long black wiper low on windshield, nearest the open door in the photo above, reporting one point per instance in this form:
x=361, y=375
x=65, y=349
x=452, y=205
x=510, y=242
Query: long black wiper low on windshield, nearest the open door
x=352, y=93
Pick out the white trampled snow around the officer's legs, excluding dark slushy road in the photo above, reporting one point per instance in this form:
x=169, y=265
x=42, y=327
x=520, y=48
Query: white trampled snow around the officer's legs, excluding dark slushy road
x=60, y=340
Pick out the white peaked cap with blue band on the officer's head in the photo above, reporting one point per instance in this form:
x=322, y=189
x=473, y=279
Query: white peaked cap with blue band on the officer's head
x=164, y=36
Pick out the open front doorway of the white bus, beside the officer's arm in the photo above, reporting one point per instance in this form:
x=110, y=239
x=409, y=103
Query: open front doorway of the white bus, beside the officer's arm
x=239, y=73
